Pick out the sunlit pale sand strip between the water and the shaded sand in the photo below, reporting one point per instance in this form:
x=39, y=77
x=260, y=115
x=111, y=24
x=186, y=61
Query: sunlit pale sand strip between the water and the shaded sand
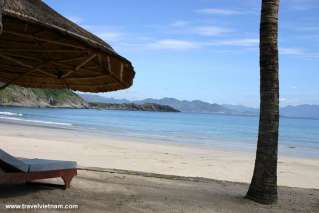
x=106, y=152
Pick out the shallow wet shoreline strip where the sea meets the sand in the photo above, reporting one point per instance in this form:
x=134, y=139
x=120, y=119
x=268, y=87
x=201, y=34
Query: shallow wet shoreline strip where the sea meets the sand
x=285, y=150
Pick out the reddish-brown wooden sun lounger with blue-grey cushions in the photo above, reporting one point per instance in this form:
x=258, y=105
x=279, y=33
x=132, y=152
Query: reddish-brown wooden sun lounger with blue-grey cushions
x=16, y=170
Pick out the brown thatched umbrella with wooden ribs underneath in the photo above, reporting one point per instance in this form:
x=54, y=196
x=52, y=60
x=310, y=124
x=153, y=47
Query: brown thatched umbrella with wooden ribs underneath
x=40, y=48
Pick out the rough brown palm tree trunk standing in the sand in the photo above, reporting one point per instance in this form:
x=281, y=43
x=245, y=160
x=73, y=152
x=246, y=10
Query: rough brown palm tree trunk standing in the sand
x=263, y=188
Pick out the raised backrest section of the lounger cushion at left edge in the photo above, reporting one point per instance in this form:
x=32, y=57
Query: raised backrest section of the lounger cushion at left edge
x=11, y=164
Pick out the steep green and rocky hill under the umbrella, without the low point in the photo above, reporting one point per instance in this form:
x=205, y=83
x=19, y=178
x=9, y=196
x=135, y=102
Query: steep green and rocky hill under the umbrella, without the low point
x=29, y=97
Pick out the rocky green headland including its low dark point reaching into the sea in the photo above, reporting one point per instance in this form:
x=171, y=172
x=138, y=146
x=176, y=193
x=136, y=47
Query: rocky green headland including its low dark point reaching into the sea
x=31, y=97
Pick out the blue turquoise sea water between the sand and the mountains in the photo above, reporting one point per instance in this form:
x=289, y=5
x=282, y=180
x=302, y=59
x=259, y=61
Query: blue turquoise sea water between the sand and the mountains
x=298, y=137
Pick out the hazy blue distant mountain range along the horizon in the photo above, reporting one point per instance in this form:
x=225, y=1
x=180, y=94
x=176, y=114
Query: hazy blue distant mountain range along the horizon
x=300, y=111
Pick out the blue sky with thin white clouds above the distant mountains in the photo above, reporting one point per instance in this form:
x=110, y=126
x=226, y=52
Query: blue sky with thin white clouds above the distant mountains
x=204, y=49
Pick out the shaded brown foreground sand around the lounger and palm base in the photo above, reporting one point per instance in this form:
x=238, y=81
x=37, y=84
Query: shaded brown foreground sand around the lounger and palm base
x=119, y=192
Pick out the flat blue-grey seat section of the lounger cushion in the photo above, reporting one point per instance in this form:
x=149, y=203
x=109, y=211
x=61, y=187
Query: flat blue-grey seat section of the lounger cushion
x=40, y=165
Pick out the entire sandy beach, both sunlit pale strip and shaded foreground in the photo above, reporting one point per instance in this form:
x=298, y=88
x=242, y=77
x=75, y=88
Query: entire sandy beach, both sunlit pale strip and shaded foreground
x=128, y=175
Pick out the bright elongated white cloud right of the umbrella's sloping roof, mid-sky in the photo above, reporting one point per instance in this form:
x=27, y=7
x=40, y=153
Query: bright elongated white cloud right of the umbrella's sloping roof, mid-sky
x=174, y=44
